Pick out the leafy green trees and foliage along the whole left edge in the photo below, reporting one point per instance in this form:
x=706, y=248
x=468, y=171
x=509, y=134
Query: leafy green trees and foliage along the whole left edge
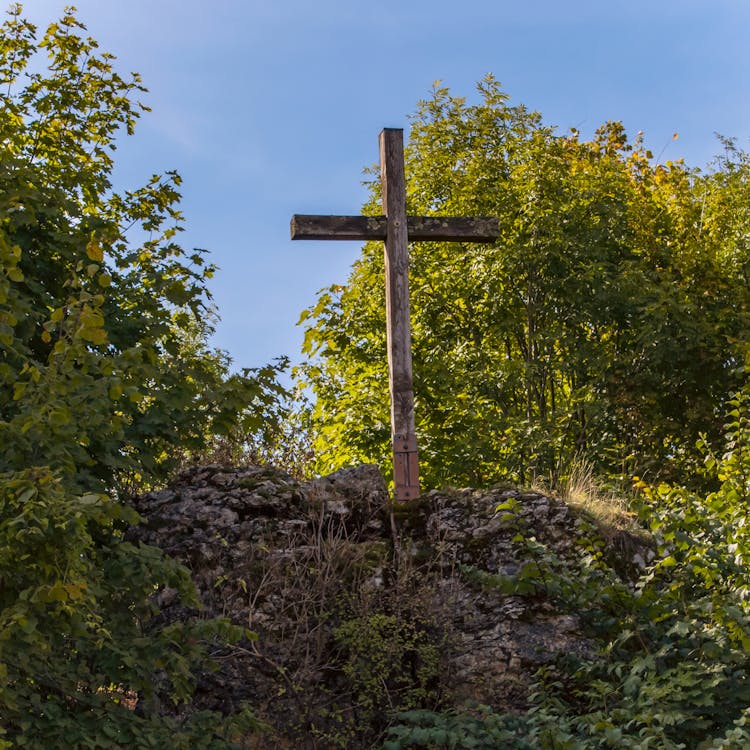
x=106, y=382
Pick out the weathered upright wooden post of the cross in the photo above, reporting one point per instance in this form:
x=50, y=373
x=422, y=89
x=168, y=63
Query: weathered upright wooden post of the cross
x=397, y=311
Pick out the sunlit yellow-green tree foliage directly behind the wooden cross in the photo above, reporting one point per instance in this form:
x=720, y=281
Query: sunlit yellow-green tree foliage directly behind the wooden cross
x=609, y=319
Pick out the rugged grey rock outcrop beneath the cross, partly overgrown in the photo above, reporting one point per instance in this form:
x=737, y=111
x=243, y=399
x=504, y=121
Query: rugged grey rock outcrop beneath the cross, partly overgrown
x=352, y=625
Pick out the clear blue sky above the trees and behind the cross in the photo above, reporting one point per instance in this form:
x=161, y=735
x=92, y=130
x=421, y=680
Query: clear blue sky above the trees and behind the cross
x=272, y=108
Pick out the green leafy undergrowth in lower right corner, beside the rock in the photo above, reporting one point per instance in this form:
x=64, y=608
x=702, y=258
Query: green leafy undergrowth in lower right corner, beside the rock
x=671, y=670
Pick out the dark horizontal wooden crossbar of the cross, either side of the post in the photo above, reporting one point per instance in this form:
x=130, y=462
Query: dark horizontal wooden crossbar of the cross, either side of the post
x=418, y=228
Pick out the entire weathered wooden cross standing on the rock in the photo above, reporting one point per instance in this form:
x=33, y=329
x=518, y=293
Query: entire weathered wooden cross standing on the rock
x=397, y=229
